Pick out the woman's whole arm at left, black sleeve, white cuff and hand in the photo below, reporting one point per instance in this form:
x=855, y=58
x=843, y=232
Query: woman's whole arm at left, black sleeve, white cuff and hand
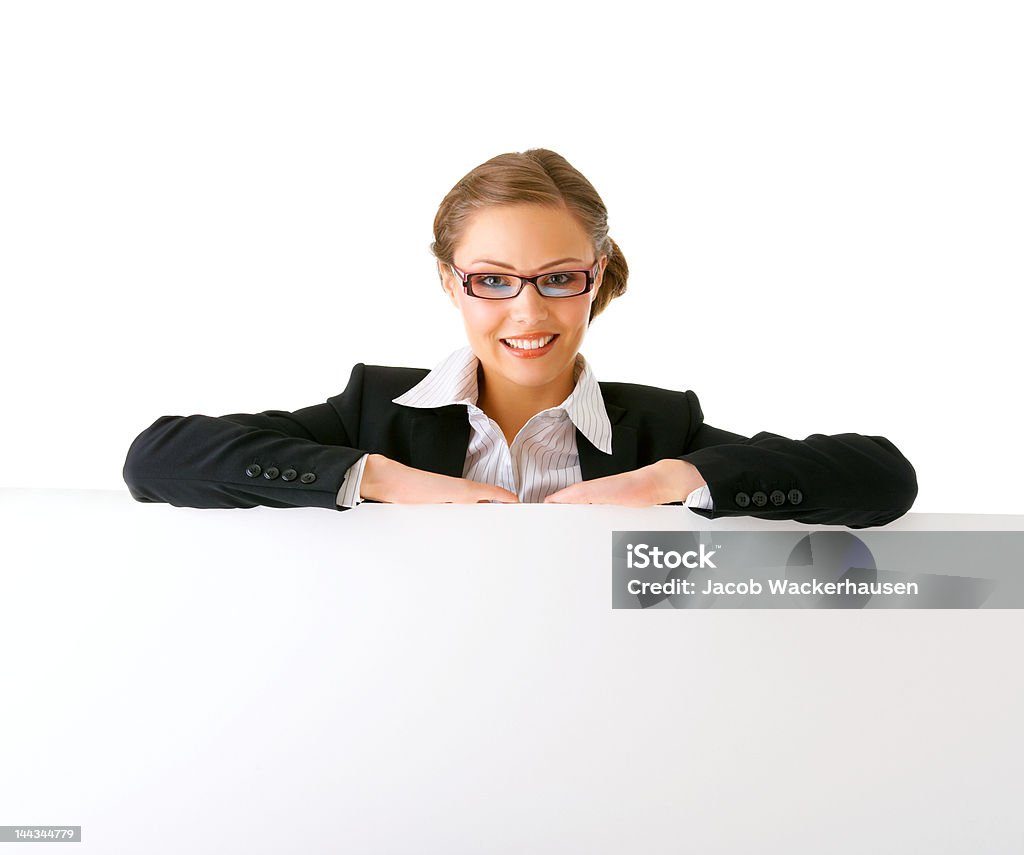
x=282, y=460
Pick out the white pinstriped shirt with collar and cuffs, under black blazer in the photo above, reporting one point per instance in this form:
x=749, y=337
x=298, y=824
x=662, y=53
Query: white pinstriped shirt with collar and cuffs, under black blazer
x=543, y=457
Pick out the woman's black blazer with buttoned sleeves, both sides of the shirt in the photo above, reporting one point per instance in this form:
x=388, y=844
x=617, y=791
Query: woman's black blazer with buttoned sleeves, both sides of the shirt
x=295, y=460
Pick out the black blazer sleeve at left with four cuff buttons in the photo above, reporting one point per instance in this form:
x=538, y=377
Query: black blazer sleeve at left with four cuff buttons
x=276, y=458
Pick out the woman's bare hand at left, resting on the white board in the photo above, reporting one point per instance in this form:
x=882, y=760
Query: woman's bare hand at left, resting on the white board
x=388, y=481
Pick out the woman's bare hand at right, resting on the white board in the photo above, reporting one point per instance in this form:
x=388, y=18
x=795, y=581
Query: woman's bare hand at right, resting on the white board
x=659, y=484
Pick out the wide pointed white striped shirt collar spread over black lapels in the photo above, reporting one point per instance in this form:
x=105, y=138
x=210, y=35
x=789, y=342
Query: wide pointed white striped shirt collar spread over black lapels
x=454, y=381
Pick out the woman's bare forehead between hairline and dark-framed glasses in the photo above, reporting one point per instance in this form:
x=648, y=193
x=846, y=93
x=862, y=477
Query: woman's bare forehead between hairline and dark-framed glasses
x=523, y=236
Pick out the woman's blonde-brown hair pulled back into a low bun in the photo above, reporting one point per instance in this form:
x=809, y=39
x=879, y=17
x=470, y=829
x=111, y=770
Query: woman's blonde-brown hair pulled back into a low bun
x=542, y=178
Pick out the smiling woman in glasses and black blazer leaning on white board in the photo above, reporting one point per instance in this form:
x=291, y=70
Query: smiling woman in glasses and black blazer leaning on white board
x=524, y=253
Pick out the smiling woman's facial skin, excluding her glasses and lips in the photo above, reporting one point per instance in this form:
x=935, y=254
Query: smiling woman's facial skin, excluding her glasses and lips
x=525, y=240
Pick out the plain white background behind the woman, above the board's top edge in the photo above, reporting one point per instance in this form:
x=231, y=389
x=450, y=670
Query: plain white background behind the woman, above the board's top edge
x=222, y=207
